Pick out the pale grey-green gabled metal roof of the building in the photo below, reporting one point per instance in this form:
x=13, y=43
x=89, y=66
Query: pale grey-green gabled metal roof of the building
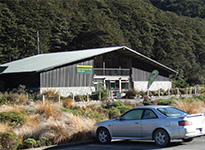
x=48, y=61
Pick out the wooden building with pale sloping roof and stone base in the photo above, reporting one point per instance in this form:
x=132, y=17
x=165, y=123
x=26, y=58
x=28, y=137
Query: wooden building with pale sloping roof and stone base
x=84, y=71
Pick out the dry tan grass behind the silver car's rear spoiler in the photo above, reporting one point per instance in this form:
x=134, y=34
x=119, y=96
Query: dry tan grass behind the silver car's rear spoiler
x=190, y=107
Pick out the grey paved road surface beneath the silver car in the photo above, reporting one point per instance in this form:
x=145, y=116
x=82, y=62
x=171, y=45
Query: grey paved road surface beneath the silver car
x=196, y=144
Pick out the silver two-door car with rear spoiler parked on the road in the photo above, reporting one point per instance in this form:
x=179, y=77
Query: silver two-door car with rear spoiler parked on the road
x=158, y=123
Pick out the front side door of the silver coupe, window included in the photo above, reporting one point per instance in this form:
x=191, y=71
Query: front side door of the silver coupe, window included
x=128, y=125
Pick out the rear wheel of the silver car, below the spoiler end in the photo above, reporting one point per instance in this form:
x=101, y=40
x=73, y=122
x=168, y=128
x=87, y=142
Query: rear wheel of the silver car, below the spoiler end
x=161, y=138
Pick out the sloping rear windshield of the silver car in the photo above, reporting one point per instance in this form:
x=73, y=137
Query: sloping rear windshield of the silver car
x=172, y=112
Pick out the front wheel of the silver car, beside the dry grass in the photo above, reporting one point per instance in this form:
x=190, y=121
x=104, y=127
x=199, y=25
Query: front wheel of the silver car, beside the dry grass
x=103, y=136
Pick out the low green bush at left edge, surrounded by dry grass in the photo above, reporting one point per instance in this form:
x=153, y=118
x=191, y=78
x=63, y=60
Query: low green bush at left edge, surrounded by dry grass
x=13, y=118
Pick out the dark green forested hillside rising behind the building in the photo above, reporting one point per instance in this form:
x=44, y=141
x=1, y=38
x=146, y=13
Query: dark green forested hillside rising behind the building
x=146, y=26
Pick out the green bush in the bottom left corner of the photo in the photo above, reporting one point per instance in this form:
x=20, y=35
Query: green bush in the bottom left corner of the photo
x=9, y=141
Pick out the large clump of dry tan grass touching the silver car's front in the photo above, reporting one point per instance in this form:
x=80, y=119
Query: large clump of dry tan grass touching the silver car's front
x=65, y=128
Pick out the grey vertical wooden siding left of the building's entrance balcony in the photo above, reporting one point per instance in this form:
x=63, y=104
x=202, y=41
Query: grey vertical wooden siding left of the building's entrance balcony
x=66, y=76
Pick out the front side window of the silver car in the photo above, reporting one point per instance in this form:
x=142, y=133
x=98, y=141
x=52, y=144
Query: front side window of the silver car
x=133, y=115
